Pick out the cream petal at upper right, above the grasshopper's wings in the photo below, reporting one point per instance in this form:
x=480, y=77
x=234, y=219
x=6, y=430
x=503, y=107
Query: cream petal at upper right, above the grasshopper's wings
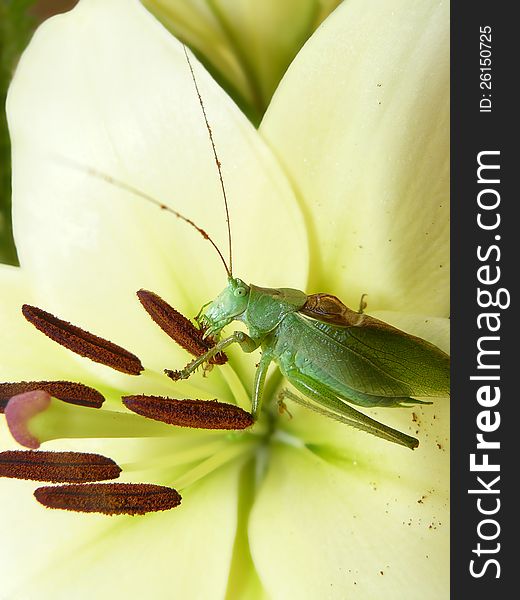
x=360, y=121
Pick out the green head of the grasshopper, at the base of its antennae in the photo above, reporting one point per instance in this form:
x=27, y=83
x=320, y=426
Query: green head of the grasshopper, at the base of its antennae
x=226, y=307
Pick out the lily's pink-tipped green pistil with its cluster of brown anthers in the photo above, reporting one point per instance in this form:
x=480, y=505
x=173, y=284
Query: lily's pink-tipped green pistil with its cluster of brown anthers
x=195, y=437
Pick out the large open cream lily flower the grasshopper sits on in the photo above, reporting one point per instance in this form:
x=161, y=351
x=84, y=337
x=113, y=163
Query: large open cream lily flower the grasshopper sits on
x=343, y=189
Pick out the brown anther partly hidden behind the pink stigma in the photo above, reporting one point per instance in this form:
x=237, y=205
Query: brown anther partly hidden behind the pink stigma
x=67, y=391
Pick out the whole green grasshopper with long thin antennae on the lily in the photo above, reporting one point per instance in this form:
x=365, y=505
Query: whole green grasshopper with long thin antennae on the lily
x=331, y=354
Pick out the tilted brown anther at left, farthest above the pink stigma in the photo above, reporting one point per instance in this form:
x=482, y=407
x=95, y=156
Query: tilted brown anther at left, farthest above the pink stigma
x=82, y=342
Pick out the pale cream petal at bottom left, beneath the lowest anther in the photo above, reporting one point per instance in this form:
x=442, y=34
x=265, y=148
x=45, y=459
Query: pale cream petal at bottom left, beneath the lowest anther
x=50, y=554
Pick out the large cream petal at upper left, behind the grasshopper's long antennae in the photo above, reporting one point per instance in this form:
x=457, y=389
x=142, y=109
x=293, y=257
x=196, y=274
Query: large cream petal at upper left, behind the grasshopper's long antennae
x=107, y=87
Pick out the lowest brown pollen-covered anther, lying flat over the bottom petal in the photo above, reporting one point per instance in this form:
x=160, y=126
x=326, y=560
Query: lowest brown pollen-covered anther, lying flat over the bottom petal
x=109, y=498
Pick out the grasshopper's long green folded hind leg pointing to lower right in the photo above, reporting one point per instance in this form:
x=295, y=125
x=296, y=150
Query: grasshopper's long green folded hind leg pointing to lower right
x=323, y=401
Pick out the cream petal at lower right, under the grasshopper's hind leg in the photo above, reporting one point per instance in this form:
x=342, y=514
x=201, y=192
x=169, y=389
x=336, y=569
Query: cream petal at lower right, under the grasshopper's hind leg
x=351, y=506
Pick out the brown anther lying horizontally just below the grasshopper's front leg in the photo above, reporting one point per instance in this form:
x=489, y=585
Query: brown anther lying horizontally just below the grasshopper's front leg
x=197, y=414
